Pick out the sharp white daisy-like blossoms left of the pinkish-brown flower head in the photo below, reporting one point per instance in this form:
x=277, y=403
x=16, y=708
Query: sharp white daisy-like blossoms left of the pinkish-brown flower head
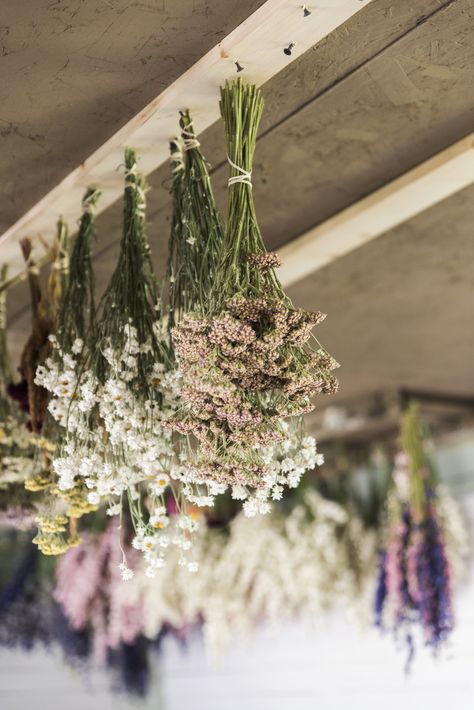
x=114, y=436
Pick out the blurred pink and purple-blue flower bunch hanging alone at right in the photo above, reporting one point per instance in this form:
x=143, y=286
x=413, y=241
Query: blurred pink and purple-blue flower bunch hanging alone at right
x=416, y=575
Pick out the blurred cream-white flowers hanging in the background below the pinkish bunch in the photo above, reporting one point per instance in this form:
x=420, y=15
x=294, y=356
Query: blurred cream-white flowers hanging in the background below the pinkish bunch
x=267, y=570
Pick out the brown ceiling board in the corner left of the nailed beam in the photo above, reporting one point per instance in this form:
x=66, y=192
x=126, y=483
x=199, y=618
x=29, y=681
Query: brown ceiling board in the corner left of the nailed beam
x=74, y=71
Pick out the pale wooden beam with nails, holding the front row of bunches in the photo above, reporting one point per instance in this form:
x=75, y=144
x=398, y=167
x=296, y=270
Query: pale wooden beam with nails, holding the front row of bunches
x=258, y=46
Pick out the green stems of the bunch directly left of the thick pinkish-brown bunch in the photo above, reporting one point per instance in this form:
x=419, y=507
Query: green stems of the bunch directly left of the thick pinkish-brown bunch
x=197, y=229
